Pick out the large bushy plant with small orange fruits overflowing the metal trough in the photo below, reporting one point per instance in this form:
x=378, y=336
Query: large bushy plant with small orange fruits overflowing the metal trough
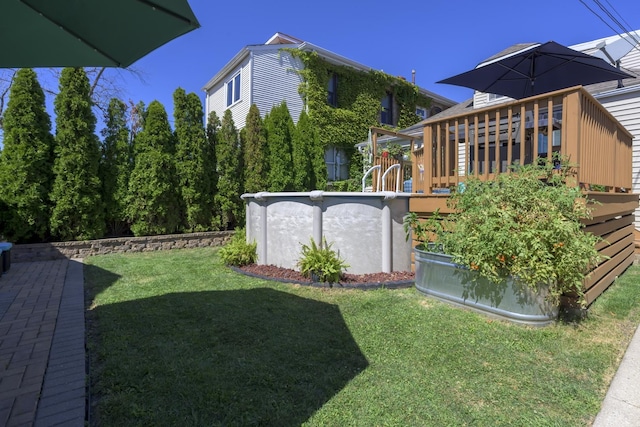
x=525, y=224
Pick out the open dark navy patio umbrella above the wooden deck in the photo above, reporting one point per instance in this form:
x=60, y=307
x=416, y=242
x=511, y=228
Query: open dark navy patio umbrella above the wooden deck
x=535, y=70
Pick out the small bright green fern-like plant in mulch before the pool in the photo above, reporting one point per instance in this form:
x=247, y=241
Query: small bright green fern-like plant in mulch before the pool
x=321, y=262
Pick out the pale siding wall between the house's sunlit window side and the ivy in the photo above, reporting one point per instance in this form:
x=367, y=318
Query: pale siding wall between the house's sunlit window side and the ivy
x=275, y=79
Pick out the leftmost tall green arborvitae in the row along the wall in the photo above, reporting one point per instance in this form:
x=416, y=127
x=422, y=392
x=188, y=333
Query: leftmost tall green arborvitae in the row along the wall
x=26, y=163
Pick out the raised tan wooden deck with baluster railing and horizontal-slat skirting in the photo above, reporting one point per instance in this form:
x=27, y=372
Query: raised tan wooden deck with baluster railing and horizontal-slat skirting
x=485, y=142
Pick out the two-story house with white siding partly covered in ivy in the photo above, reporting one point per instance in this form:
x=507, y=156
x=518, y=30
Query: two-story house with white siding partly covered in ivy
x=270, y=73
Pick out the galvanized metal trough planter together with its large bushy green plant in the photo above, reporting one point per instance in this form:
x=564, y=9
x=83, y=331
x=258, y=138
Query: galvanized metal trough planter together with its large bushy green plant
x=513, y=246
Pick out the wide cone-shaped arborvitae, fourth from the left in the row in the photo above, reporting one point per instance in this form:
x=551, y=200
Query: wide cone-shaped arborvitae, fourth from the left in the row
x=154, y=201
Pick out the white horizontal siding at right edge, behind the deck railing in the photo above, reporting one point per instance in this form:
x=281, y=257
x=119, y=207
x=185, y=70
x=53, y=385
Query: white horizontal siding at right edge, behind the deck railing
x=625, y=107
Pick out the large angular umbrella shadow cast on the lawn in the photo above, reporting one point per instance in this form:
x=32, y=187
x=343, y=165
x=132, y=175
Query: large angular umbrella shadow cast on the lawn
x=236, y=357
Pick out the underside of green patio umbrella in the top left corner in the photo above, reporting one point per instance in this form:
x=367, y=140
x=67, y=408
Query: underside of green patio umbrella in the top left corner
x=88, y=33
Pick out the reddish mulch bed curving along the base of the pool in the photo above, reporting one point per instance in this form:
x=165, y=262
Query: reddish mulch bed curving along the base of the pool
x=351, y=280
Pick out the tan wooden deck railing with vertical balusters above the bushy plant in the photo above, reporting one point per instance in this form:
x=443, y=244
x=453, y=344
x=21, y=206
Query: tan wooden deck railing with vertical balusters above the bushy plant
x=486, y=141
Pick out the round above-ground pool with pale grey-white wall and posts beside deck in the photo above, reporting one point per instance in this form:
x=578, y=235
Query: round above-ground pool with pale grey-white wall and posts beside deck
x=365, y=228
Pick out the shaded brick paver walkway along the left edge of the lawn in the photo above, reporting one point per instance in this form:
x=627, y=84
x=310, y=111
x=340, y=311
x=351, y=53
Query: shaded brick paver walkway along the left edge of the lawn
x=42, y=353
